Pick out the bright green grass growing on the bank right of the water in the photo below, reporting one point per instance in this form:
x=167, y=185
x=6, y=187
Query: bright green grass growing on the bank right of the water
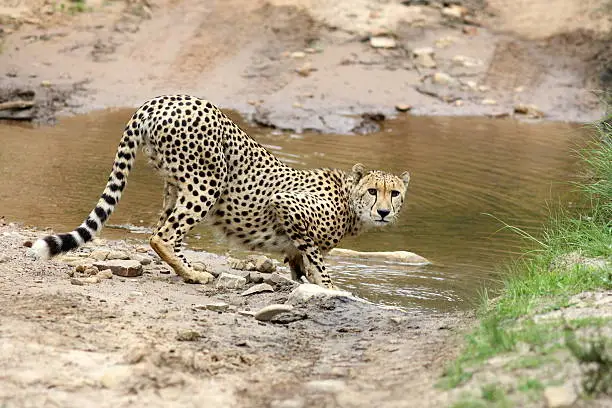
x=559, y=264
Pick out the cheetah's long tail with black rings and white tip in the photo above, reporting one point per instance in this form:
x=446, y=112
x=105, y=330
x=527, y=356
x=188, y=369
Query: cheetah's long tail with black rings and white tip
x=52, y=245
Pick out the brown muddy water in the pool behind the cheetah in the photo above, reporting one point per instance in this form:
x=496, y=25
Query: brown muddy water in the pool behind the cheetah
x=462, y=169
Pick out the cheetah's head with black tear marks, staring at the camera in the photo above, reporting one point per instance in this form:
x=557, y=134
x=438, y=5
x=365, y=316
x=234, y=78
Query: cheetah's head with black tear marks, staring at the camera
x=376, y=196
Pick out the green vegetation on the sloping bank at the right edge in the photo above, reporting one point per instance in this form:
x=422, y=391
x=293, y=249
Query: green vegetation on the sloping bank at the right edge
x=573, y=255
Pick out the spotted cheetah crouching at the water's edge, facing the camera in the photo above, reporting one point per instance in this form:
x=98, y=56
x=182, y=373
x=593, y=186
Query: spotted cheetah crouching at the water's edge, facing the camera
x=214, y=172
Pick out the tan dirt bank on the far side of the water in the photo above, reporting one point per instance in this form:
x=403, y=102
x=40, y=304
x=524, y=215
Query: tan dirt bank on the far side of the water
x=314, y=65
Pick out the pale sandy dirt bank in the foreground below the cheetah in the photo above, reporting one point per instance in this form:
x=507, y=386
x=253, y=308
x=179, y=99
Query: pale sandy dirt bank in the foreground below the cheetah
x=70, y=340
